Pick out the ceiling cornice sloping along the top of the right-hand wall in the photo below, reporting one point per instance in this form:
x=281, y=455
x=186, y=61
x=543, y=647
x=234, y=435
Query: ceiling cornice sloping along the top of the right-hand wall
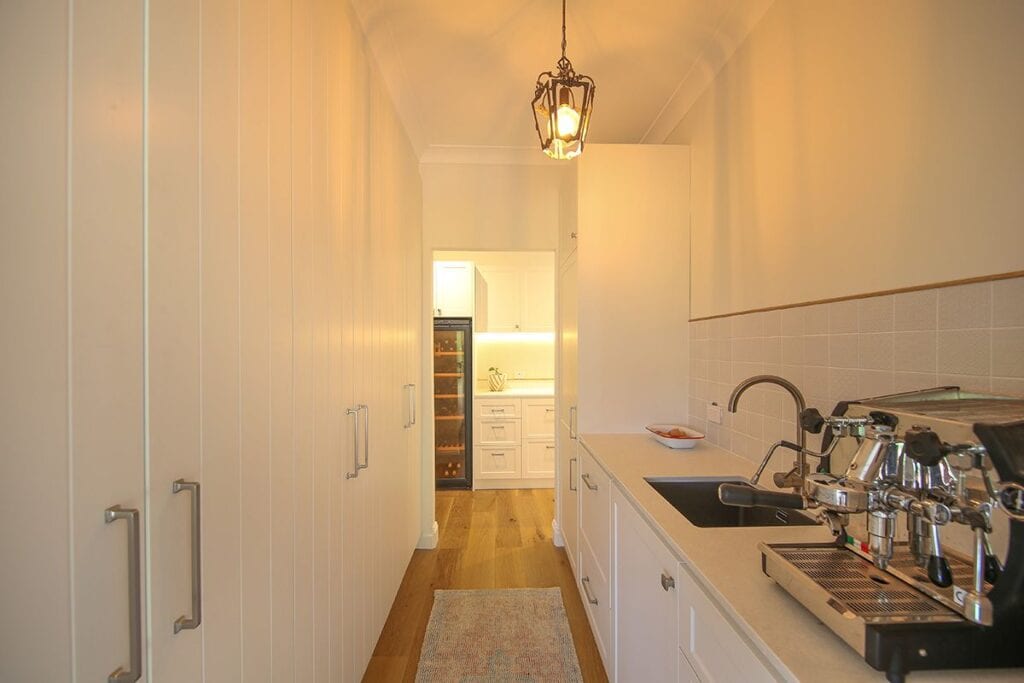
x=731, y=34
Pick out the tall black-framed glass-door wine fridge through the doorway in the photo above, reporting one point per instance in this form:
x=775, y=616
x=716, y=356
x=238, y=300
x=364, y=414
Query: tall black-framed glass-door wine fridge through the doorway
x=453, y=403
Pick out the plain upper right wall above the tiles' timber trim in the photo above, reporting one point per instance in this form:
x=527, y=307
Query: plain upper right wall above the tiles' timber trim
x=850, y=148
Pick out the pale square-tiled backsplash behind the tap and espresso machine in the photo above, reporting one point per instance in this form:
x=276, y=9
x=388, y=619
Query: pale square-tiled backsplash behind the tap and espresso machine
x=968, y=335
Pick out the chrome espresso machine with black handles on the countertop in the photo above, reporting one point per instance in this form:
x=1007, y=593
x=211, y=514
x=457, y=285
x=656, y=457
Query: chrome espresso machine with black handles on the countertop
x=925, y=495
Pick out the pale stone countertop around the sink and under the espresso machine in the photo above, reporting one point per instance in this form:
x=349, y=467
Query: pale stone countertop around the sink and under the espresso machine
x=728, y=564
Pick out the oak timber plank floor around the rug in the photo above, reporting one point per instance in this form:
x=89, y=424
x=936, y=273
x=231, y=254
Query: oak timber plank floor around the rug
x=488, y=539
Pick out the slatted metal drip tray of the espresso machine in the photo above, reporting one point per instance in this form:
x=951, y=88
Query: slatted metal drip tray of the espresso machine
x=847, y=592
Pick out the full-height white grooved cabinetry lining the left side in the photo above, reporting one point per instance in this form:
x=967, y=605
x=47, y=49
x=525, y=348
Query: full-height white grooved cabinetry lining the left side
x=211, y=251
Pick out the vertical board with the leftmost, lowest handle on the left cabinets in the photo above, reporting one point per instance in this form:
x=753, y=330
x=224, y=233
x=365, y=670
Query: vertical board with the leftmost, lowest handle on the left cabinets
x=107, y=327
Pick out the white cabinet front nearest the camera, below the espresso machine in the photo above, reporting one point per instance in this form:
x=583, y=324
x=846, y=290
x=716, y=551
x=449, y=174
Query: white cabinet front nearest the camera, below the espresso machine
x=713, y=648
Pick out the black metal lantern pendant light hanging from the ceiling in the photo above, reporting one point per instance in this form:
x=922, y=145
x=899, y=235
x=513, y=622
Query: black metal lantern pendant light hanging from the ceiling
x=563, y=104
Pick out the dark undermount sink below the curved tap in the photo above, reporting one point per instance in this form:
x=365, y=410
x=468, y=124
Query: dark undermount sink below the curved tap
x=697, y=499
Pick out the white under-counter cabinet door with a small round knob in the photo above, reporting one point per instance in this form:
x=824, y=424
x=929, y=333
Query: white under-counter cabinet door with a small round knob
x=647, y=639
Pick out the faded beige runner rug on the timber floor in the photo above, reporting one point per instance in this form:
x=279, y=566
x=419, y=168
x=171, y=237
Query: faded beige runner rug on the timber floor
x=519, y=635
